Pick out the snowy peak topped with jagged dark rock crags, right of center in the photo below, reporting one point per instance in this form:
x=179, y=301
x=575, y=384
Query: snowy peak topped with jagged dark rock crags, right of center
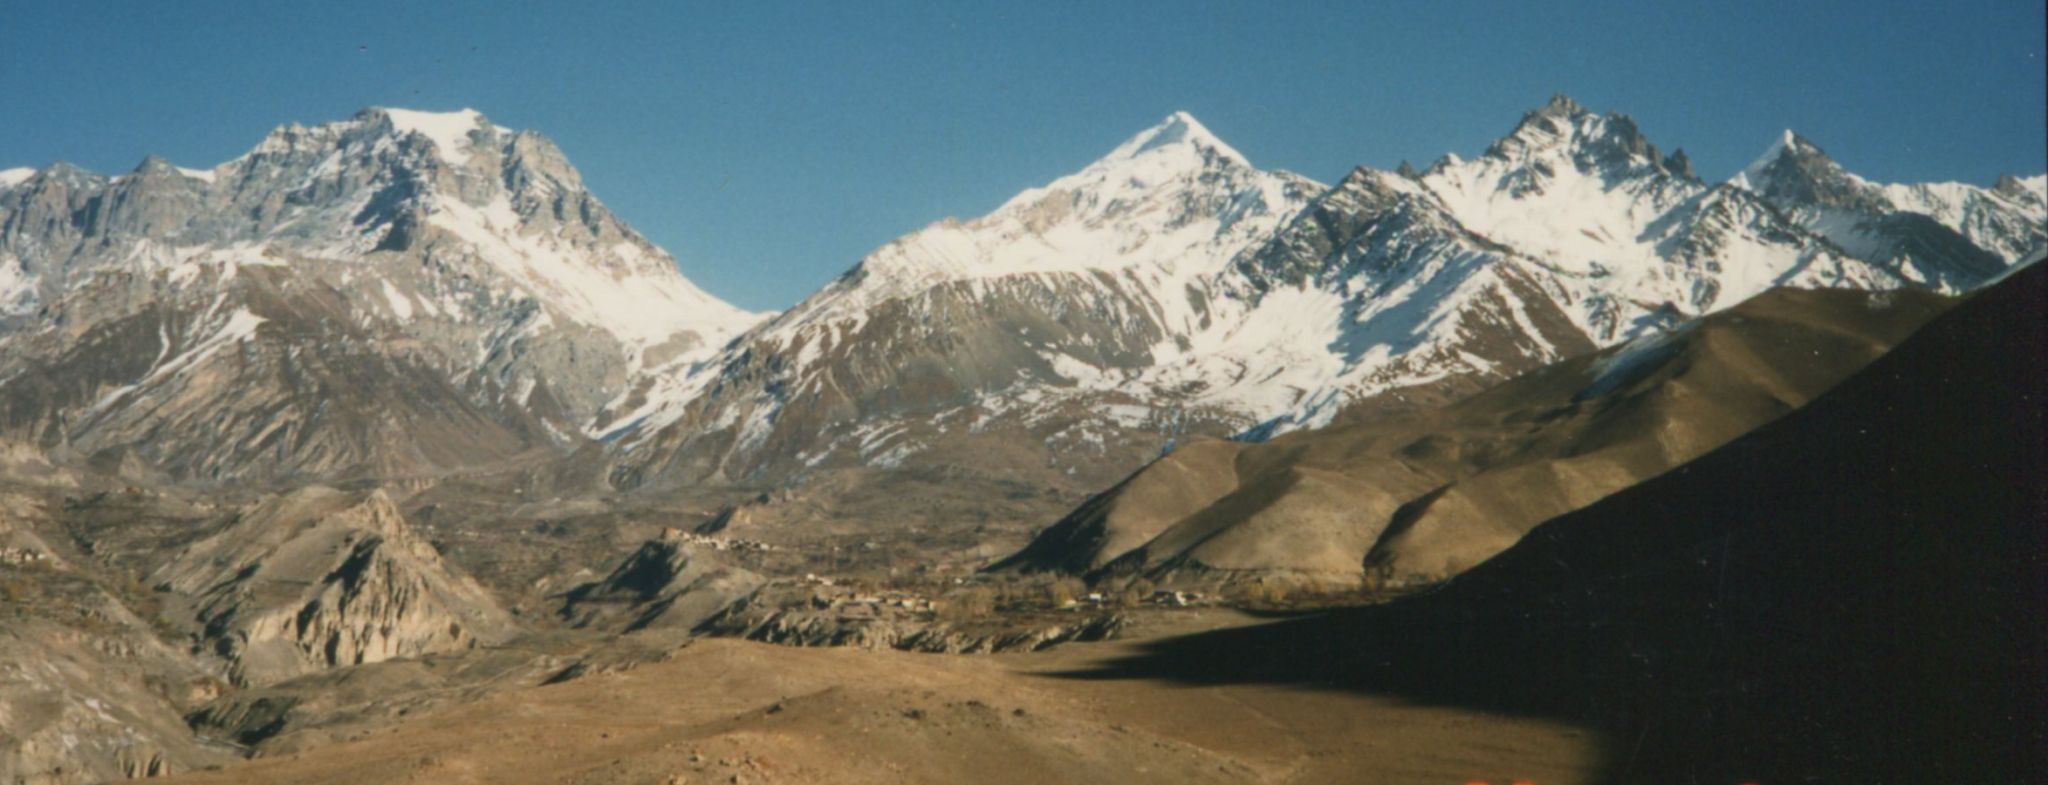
x=1629, y=231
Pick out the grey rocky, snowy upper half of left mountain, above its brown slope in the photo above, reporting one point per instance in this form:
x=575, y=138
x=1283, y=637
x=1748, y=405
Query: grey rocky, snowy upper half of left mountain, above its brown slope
x=466, y=237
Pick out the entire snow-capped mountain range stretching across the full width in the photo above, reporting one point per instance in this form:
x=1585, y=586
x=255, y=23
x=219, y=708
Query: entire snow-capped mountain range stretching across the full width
x=411, y=294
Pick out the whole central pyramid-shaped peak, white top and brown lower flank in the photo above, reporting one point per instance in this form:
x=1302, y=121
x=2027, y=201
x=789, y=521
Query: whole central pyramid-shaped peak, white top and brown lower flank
x=1064, y=292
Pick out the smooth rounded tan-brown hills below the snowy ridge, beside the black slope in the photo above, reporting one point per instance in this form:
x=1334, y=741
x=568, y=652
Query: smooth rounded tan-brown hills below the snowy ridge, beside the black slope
x=1416, y=499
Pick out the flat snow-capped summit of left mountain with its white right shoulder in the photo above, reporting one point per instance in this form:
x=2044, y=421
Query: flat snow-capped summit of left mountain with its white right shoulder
x=445, y=183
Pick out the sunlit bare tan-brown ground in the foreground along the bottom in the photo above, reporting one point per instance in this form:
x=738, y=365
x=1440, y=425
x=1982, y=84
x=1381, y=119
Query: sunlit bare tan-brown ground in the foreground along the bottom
x=742, y=712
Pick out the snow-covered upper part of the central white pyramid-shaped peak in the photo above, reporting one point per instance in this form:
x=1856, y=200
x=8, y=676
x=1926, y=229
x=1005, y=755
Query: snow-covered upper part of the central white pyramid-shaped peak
x=1144, y=226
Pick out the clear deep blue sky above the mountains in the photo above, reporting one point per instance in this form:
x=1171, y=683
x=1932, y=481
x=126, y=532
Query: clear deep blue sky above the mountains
x=771, y=147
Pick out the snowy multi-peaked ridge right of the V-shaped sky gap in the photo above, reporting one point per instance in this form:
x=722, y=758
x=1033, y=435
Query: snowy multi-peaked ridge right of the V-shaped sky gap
x=1170, y=288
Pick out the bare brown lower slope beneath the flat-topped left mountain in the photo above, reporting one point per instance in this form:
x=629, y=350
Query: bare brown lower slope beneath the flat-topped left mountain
x=261, y=380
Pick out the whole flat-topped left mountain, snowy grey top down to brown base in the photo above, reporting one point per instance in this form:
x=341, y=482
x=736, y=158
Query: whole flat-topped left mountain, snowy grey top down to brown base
x=396, y=294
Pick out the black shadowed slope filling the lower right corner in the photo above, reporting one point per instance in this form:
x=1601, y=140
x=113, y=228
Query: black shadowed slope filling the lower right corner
x=1852, y=593
